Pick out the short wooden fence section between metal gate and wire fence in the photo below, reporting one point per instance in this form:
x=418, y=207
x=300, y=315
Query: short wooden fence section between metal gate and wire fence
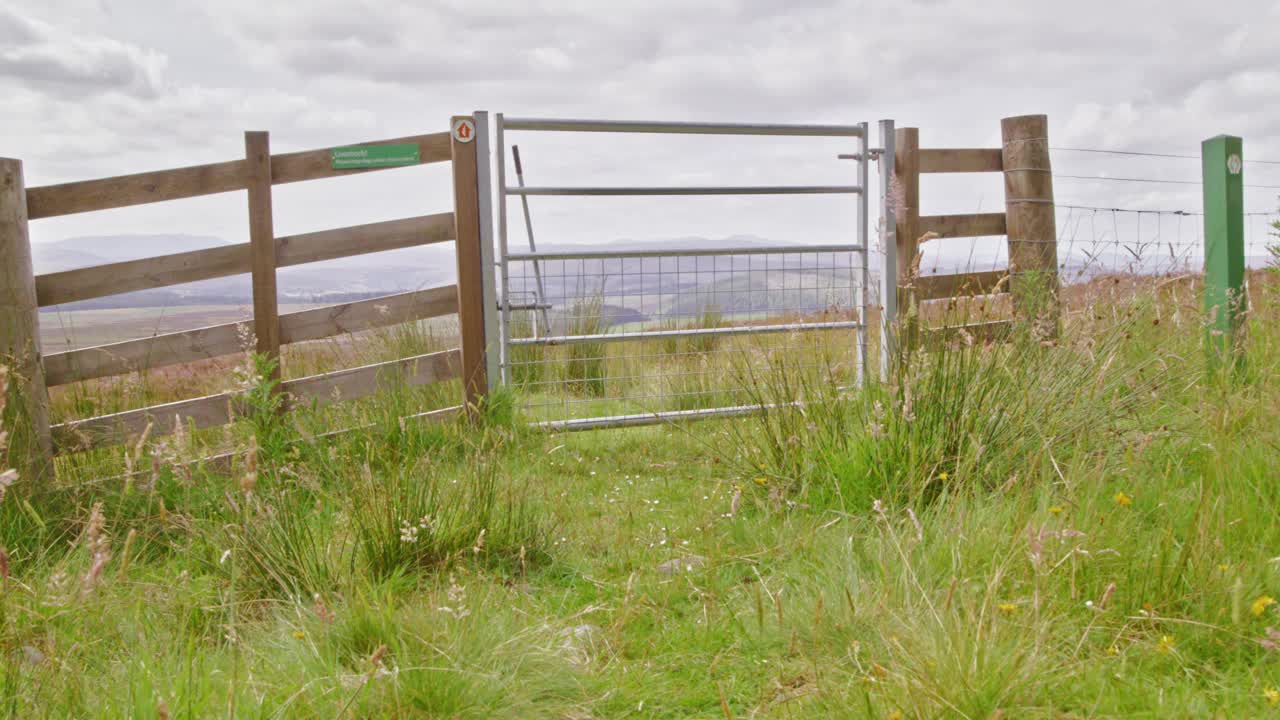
x=1028, y=221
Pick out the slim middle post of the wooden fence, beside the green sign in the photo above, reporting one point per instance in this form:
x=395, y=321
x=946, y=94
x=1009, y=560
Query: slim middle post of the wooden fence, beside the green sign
x=262, y=236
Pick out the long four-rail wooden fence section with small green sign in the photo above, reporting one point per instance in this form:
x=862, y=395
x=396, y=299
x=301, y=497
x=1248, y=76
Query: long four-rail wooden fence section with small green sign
x=257, y=174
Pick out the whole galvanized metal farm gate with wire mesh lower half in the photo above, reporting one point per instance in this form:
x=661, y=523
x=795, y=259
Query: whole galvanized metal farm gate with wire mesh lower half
x=600, y=338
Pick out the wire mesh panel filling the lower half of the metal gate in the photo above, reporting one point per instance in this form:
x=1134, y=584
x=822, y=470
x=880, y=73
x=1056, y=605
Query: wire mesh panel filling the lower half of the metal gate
x=683, y=331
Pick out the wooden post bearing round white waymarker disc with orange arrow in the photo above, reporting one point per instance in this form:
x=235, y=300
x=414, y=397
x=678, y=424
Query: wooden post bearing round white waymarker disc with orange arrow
x=467, y=220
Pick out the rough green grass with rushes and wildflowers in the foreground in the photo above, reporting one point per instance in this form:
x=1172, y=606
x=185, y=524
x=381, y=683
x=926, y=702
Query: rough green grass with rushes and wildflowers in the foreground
x=1082, y=528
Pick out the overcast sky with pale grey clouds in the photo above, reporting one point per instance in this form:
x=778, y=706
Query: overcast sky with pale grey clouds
x=102, y=88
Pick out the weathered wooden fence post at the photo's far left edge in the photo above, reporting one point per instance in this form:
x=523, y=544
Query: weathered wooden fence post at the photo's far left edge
x=31, y=450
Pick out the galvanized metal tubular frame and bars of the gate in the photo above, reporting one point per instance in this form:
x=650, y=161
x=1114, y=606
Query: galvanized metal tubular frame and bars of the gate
x=499, y=306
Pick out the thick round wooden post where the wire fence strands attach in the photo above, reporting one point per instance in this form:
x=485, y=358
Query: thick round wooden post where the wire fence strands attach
x=1030, y=220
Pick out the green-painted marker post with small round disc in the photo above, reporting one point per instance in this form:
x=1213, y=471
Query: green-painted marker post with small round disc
x=1223, y=166
